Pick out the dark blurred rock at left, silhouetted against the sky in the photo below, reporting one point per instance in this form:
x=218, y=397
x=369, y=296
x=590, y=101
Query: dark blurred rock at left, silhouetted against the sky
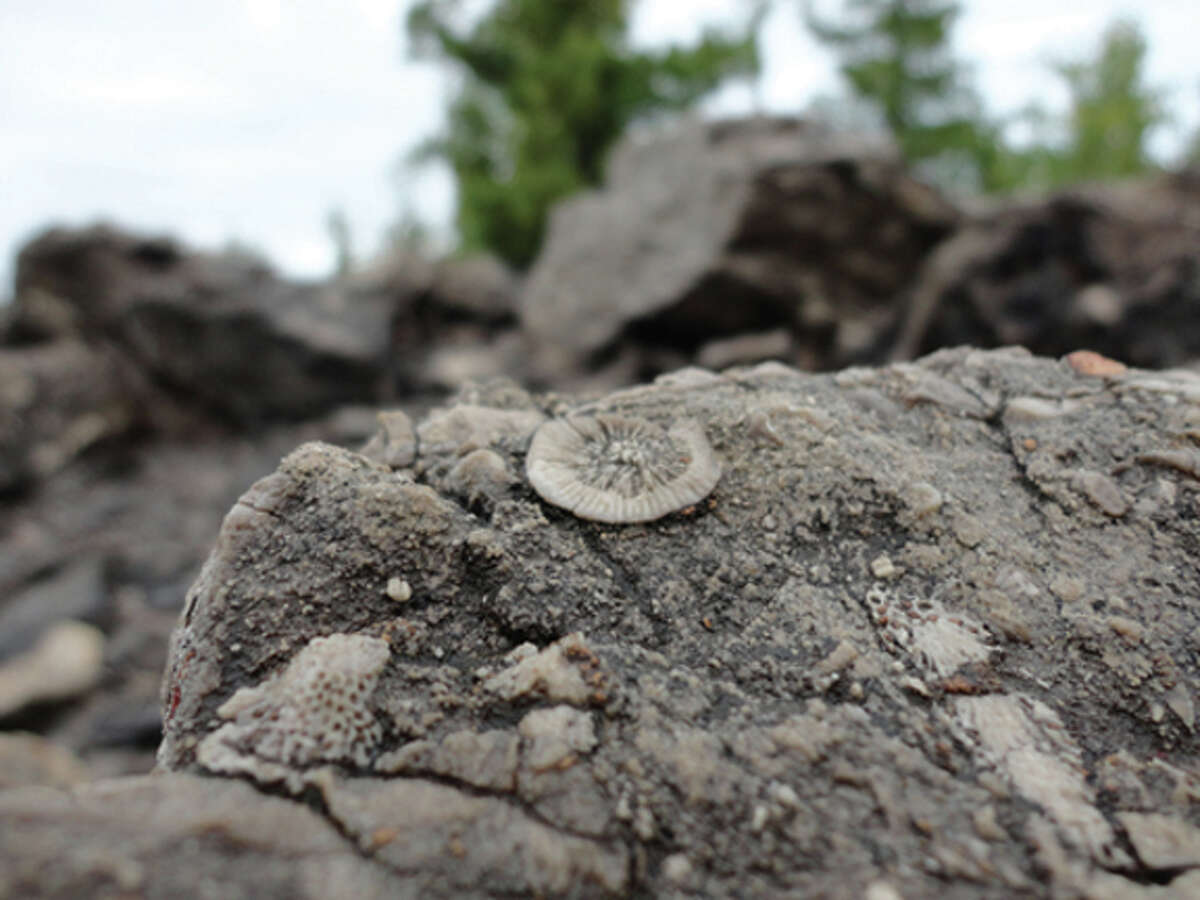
x=219, y=331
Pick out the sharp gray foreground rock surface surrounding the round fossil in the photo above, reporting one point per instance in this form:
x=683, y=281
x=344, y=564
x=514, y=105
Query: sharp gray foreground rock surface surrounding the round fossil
x=934, y=635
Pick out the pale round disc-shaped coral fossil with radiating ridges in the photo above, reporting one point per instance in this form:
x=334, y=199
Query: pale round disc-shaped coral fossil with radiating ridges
x=615, y=469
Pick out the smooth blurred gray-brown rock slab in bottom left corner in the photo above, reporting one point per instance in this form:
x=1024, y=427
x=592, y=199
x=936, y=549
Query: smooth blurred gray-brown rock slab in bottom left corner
x=175, y=837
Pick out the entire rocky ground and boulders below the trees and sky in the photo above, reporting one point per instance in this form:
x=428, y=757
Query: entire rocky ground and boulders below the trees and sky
x=933, y=633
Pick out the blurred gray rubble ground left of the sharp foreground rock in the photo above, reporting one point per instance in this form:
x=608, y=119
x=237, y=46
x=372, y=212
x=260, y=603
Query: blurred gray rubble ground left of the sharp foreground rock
x=115, y=541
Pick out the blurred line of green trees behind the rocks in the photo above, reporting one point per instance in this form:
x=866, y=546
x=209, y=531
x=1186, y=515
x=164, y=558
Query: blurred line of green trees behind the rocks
x=547, y=87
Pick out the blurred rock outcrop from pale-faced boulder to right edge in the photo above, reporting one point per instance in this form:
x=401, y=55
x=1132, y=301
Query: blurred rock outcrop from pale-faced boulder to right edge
x=734, y=243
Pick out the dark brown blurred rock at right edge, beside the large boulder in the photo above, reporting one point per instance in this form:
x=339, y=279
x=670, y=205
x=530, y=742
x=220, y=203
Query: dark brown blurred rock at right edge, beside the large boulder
x=1109, y=267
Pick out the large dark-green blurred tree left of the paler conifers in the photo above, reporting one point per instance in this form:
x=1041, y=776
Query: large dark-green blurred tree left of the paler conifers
x=548, y=87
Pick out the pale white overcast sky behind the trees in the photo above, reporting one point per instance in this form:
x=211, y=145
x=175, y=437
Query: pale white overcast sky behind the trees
x=250, y=121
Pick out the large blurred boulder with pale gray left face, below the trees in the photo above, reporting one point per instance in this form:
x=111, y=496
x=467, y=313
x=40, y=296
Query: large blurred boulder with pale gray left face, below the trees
x=718, y=231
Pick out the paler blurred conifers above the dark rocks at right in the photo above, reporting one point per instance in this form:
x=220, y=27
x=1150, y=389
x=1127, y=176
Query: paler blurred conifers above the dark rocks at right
x=896, y=56
